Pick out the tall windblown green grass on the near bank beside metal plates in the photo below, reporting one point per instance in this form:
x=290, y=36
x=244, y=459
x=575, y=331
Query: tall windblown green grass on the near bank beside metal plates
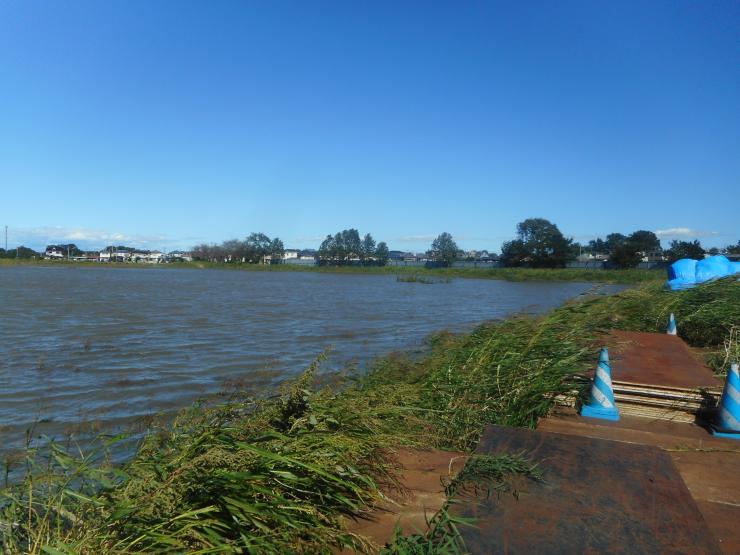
x=282, y=475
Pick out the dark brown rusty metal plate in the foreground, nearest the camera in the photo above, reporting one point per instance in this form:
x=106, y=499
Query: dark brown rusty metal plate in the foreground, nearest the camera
x=597, y=496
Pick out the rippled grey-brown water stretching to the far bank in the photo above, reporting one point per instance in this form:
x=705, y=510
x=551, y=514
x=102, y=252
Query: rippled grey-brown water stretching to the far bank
x=109, y=346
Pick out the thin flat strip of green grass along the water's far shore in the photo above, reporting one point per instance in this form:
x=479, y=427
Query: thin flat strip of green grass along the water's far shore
x=632, y=276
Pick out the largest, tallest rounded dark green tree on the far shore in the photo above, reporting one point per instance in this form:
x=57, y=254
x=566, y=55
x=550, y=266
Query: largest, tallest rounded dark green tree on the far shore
x=540, y=244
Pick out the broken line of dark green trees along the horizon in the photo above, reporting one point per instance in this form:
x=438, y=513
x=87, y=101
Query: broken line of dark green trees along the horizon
x=539, y=244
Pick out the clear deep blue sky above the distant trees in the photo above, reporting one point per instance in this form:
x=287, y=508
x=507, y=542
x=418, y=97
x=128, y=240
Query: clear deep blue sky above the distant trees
x=164, y=124
